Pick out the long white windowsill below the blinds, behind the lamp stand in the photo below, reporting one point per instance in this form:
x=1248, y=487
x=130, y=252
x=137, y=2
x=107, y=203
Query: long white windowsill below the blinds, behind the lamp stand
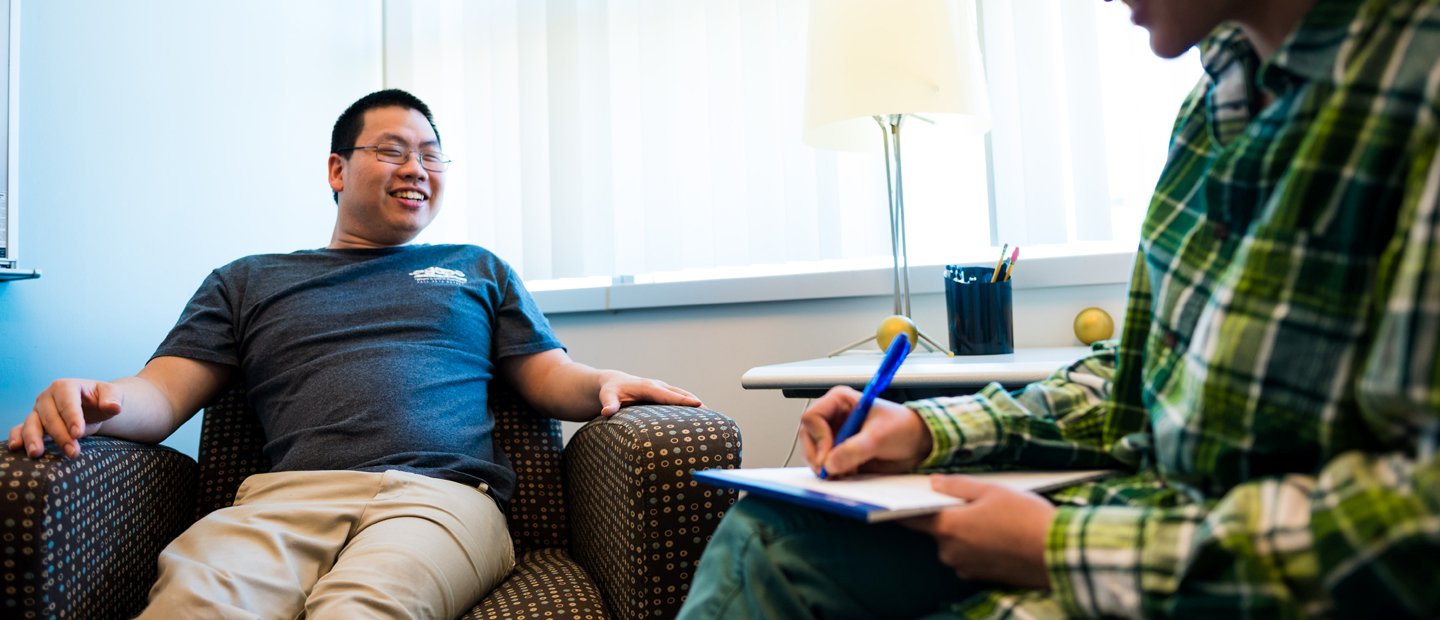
x=1063, y=267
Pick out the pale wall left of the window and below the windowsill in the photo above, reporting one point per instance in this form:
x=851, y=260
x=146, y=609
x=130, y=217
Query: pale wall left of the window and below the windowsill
x=165, y=139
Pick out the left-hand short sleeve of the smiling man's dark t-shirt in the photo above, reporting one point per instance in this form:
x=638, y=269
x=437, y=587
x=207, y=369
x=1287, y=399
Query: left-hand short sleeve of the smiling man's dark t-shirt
x=207, y=329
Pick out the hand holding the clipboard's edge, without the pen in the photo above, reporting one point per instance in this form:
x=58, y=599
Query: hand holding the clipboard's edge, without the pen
x=997, y=536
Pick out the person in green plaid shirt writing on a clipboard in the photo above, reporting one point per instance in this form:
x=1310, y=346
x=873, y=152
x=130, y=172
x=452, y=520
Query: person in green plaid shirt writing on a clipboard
x=1274, y=402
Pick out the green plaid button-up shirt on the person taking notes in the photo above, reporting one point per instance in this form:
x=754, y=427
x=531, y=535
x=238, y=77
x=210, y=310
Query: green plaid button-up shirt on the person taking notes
x=1275, y=396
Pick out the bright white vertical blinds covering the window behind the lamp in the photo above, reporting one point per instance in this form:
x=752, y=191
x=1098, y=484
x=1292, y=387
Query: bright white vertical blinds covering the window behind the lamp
x=634, y=137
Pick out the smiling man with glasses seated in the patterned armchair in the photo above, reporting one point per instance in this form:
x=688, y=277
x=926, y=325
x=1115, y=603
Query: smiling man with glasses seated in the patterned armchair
x=368, y=363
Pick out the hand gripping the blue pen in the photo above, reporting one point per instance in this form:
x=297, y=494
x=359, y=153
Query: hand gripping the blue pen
x=894, y=438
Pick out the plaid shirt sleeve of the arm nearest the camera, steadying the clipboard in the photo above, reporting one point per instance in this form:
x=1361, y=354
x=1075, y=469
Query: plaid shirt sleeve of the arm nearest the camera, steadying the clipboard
x=1357, y=539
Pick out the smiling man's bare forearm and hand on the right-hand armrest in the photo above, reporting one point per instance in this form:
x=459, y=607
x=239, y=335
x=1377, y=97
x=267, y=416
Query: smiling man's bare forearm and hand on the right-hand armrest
x=568, y=391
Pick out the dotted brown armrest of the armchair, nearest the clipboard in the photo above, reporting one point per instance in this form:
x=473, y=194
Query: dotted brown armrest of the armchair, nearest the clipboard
x=639, y=521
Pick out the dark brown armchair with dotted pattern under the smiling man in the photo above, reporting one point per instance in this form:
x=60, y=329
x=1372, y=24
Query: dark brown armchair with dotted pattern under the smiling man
x=610, y=526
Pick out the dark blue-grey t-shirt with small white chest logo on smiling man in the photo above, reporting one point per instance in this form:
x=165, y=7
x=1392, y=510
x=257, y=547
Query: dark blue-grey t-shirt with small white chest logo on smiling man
x=369, y=360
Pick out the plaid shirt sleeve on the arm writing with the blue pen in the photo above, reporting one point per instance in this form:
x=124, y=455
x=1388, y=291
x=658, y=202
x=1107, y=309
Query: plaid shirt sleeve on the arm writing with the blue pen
x=1055, y=424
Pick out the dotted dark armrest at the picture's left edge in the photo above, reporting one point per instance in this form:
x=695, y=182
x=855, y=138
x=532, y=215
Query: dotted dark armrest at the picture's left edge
x=81, y=536
